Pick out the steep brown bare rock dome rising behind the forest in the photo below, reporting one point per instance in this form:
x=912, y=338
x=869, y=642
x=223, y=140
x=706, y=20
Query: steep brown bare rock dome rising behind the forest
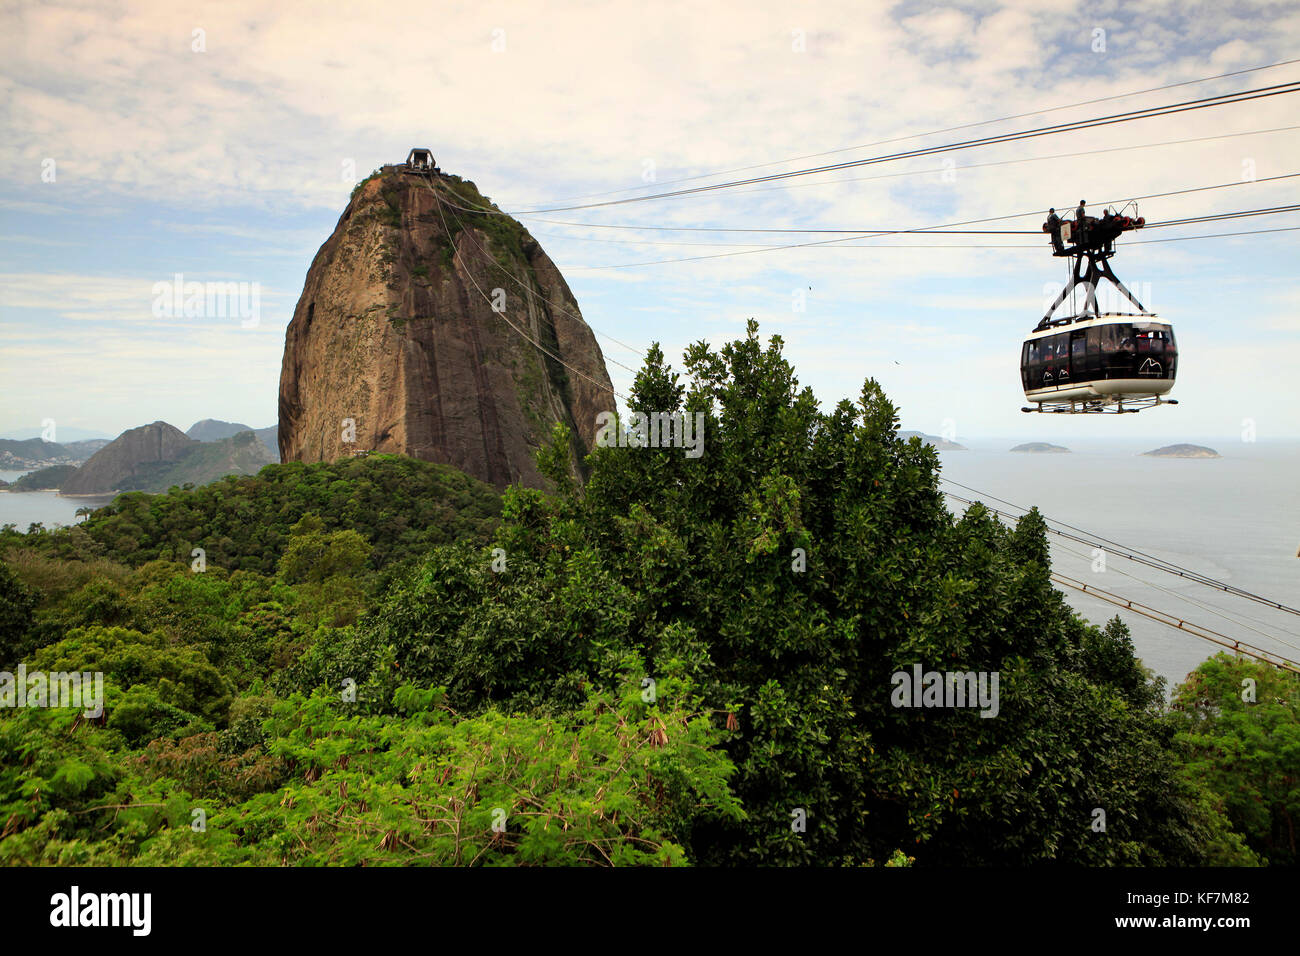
x=397, y=344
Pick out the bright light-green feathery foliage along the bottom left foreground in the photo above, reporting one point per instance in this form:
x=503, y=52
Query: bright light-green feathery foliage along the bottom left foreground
x=605, y=786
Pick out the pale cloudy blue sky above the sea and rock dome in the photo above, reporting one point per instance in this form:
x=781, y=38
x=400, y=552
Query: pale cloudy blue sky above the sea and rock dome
x=220, y=142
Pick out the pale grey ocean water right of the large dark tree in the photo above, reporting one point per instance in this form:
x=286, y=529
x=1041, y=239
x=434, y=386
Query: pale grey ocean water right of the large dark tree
x=1236, y=520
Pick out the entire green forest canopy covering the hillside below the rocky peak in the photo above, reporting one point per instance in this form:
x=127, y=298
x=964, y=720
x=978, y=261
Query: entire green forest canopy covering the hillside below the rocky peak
x=688, y=659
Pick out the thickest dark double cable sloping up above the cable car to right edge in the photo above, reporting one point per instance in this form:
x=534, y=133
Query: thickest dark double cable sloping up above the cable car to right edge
x=1132, y=116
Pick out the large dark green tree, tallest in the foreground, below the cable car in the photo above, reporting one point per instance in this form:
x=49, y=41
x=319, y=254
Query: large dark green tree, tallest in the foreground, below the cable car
x=790, y=572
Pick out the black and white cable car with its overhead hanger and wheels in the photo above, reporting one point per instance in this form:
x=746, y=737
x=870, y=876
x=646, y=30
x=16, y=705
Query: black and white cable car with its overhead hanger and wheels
x=1097, y=362
